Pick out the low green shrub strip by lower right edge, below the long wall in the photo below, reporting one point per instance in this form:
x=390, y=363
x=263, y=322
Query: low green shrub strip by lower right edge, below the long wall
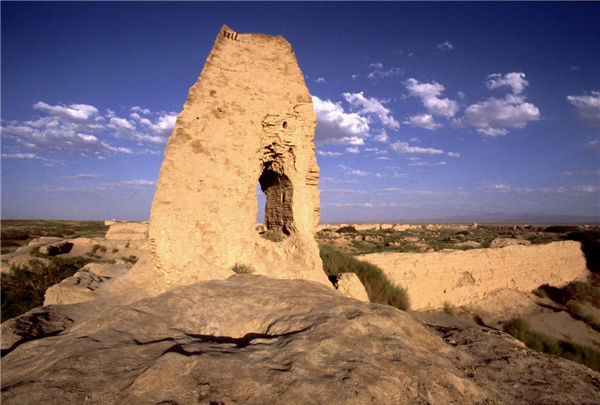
x=520, y=328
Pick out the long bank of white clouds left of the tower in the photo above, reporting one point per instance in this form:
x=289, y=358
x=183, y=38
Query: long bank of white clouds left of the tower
x=80, y=129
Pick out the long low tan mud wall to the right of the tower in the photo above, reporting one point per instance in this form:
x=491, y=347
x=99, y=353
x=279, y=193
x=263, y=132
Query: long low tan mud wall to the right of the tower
x=465, y=277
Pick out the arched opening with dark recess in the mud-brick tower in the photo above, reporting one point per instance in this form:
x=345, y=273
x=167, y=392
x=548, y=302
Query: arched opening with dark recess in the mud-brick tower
x=278, y=219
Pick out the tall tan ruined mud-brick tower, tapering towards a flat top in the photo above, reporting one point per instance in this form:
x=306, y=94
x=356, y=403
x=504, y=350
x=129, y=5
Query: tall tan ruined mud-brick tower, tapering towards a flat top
x=248, y=120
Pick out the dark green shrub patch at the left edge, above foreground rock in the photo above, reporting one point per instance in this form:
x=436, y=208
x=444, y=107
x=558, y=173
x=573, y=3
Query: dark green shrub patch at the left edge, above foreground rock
x=23, y=288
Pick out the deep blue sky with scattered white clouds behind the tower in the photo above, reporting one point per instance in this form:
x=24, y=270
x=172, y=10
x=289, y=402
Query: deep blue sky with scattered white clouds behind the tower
x=424, y=110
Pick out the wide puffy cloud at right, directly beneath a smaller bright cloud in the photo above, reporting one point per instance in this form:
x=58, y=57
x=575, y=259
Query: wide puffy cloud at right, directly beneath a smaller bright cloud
x=492, y=116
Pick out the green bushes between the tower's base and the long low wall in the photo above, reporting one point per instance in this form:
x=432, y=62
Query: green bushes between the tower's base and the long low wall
x=378, y=287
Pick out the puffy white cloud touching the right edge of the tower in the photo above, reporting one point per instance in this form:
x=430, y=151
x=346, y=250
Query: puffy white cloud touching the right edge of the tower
x=336, y=126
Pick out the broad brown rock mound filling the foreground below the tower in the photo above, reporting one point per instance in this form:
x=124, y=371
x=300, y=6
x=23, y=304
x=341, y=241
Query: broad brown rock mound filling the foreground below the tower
x=254, y=340
